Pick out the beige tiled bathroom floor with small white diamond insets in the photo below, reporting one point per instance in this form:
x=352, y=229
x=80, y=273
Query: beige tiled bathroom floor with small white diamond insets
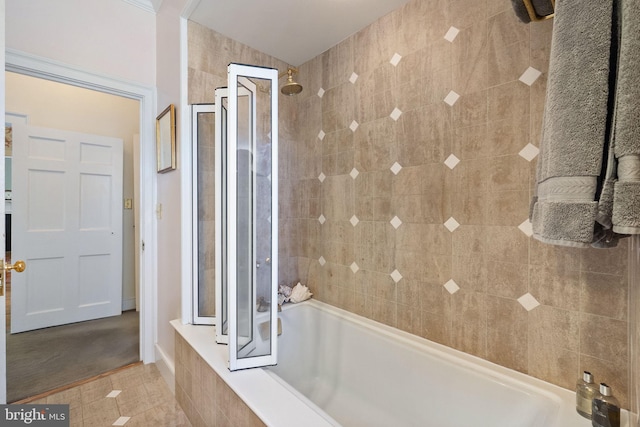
x=134, y=397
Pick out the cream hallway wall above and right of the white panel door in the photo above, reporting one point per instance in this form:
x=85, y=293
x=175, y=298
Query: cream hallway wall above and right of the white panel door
x=55, y=105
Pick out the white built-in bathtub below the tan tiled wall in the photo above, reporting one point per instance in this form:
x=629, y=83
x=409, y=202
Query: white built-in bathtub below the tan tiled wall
x=336, y=368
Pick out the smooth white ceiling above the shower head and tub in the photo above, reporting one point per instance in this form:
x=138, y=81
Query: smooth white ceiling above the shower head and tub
x=293, y=31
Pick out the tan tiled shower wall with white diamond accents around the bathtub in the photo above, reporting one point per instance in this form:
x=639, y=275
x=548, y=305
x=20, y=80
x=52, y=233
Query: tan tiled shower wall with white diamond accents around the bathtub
x=405, y=183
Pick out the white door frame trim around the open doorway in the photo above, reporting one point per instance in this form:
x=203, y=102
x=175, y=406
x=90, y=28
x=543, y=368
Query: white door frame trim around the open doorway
x=34, y=66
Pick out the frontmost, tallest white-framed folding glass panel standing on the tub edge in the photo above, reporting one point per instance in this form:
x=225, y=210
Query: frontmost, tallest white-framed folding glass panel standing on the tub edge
x=251, y=214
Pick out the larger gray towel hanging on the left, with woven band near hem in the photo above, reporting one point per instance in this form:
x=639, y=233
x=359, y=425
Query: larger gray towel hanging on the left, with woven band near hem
x=570, y=164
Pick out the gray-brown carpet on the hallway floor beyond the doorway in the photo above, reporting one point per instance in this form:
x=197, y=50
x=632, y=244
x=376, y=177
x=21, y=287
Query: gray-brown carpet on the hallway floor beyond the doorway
x=45, y=359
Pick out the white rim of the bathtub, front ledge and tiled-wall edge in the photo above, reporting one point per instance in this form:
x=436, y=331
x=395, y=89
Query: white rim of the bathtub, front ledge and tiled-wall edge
x=253, y=385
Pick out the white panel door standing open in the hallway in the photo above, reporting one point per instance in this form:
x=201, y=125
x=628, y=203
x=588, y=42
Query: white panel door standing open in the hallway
x=67, y=226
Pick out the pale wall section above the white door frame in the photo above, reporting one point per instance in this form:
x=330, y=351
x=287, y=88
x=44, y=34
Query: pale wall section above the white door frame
x=108, y=36
